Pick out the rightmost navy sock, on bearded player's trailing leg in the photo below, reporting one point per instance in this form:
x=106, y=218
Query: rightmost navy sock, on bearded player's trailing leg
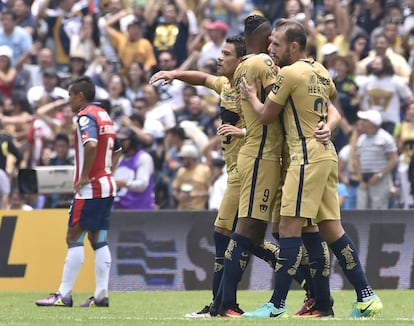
x=347, y=255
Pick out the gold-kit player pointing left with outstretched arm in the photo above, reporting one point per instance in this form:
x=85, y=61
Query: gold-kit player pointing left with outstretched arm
x=232, y=139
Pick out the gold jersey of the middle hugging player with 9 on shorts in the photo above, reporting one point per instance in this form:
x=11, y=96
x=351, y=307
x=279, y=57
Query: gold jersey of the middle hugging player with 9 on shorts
x=261, y=141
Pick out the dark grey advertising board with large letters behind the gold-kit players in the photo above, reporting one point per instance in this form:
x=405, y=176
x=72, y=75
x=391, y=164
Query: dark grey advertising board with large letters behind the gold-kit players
x=175, y=250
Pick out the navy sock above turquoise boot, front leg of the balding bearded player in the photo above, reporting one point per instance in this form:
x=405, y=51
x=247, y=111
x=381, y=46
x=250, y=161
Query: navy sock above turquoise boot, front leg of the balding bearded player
x=287, y=265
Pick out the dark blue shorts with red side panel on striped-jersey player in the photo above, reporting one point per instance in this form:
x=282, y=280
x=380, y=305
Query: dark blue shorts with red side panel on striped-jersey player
x=91, y=214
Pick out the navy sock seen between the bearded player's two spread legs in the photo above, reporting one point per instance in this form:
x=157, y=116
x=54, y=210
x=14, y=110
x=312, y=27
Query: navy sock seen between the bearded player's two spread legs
x=319, y=268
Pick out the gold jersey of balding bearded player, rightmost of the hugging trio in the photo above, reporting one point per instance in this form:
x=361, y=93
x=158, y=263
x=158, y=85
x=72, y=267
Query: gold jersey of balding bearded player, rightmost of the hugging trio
x=304, y=89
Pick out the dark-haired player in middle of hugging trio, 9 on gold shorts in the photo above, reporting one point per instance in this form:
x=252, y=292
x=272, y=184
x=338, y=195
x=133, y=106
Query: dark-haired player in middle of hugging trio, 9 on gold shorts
x=258, y=165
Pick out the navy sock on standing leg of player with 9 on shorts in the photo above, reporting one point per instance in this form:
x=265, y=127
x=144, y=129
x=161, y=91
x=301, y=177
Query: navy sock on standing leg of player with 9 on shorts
x=236, y=260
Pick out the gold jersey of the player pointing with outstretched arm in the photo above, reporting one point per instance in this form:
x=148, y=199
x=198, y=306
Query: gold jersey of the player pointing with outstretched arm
x=230, y=114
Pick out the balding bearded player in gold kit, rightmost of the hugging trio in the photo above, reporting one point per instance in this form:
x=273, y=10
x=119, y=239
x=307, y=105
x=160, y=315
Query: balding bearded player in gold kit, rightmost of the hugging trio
x=303, y=91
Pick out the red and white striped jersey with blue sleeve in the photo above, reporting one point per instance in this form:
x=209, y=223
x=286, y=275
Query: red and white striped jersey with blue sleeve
x=94, y=124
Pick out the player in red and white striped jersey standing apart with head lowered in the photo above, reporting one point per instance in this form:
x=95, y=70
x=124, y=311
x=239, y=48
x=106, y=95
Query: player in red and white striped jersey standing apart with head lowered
x=96, y=155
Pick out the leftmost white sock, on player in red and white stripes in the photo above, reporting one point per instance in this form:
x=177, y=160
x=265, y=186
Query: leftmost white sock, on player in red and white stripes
x=73, y=263
